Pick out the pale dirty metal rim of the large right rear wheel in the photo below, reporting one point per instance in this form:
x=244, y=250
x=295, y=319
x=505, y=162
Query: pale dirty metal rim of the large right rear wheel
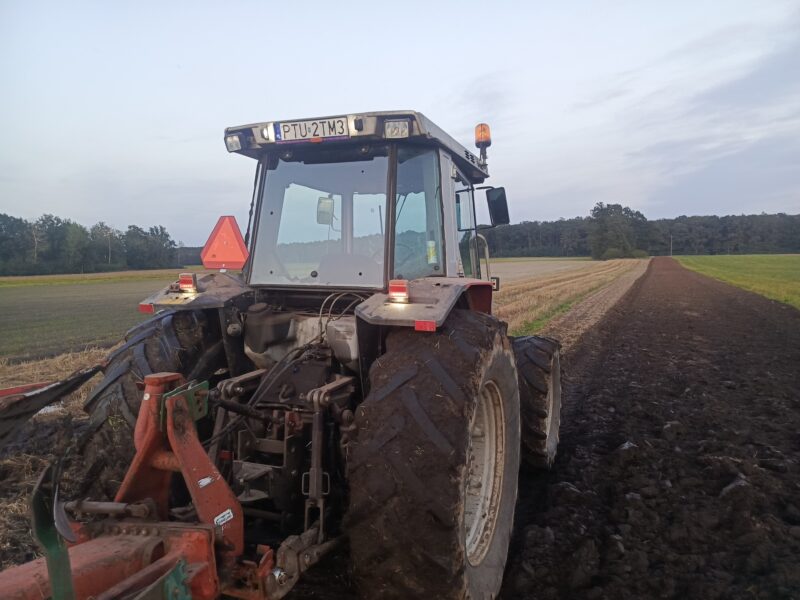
x=484, y=481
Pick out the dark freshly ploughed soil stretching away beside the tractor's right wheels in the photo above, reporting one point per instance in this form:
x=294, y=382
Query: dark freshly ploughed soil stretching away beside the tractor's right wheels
x=678, y=473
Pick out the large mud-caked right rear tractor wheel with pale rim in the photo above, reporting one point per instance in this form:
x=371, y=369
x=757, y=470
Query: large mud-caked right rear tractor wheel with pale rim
x=433, y=469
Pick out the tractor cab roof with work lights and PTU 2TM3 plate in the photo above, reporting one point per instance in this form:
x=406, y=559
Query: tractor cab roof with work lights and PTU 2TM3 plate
x=254, y=139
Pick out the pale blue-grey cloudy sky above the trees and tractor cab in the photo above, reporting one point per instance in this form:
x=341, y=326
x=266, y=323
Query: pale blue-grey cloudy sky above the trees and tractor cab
x=115, y=111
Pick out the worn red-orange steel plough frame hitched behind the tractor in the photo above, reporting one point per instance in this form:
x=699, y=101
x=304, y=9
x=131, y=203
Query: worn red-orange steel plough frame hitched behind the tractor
x=118, y=558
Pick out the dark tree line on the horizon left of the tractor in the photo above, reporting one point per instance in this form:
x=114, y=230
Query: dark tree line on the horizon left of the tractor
x=54, y=245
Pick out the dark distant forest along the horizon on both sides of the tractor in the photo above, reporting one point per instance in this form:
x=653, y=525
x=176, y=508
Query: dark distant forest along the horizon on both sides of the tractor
x=54, y=245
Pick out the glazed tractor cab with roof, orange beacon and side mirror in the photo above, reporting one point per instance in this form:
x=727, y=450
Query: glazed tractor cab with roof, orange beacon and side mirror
x=358, y=200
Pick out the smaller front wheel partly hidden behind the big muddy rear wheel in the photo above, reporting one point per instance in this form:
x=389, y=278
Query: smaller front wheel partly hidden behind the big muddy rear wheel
x=539, y=370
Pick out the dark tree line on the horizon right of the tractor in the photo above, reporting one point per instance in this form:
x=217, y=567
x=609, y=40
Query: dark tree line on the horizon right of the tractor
x=616, y=231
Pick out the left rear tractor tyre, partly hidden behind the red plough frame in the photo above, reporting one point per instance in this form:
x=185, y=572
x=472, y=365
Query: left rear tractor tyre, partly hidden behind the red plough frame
x=172, y=341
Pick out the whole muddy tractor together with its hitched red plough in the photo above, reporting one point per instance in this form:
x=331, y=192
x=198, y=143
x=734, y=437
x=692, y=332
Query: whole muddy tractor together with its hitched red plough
x=336, y=375
